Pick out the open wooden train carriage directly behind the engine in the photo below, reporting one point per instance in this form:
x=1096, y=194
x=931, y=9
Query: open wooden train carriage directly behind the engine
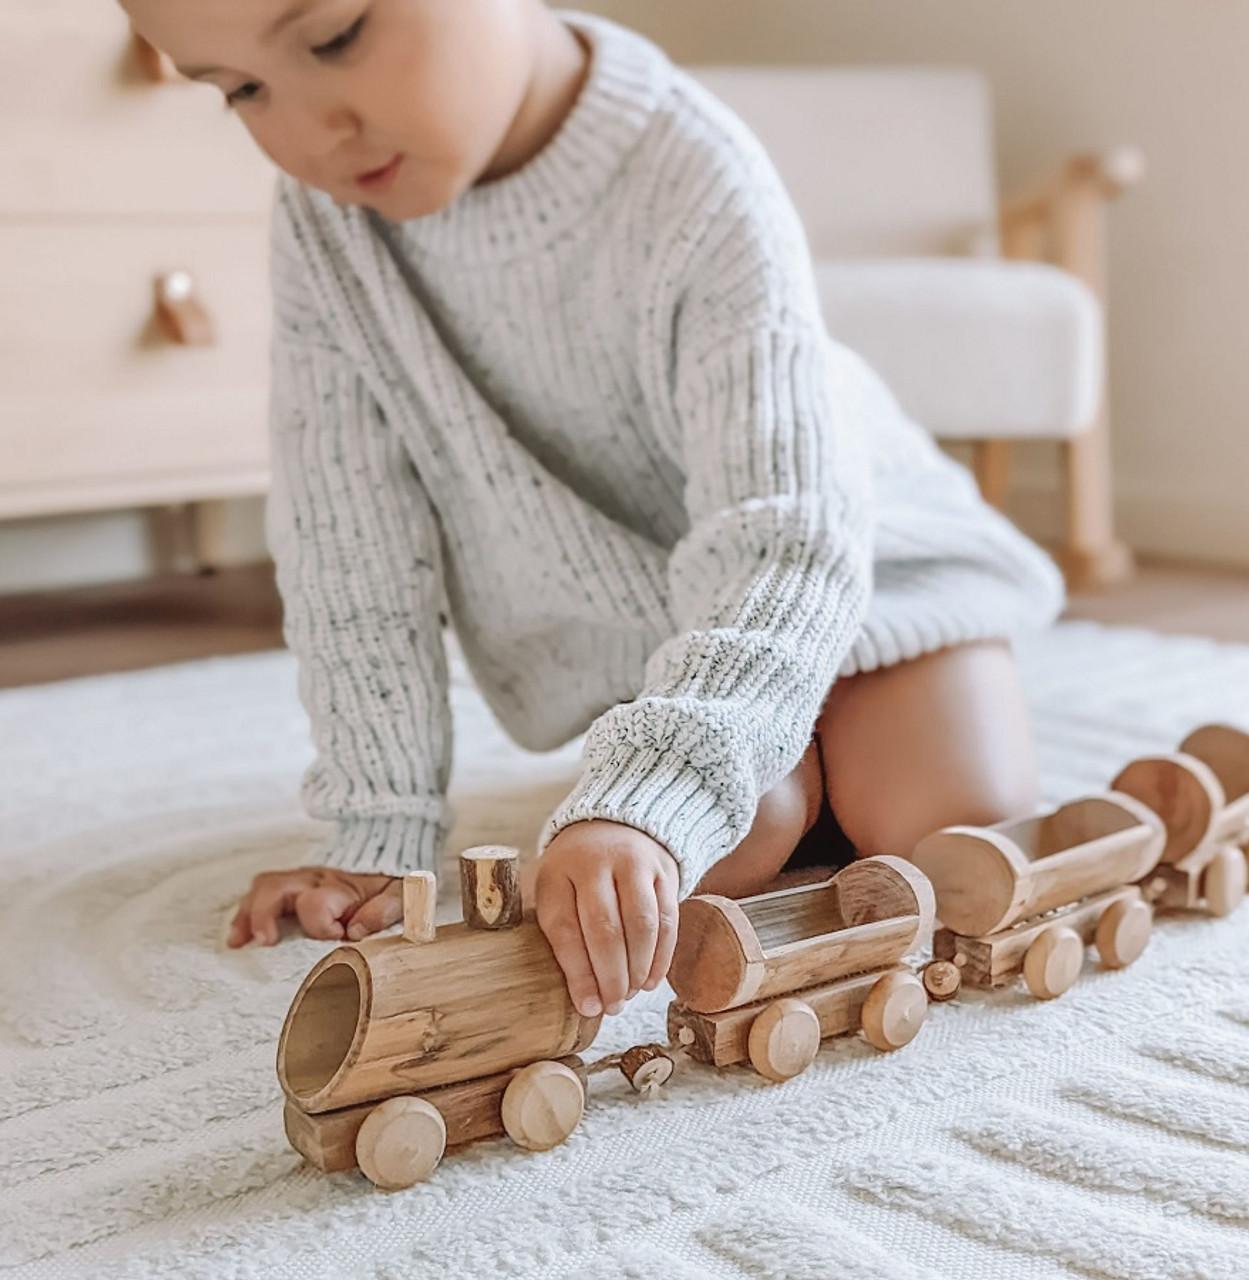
x=766, y=979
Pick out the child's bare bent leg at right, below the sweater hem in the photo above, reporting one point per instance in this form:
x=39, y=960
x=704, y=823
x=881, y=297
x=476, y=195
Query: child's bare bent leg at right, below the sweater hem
x=939, y=742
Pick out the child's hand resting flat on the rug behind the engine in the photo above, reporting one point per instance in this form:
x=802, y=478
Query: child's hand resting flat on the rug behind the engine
x=328, y=904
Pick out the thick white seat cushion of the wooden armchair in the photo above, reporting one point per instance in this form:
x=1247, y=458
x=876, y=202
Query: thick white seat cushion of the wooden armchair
x=973, y=350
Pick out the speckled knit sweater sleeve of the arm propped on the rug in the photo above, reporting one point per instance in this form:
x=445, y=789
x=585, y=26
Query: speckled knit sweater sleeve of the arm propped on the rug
x=359, y=557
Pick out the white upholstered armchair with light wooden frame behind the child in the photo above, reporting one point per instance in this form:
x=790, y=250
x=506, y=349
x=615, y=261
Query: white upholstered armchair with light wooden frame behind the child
x=919, y=271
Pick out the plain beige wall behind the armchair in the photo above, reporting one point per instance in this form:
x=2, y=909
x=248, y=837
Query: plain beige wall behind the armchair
x=1074, y=75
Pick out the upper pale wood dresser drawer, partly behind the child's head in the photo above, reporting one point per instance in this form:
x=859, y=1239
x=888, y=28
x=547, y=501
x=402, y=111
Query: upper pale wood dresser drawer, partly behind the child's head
x=84, y=132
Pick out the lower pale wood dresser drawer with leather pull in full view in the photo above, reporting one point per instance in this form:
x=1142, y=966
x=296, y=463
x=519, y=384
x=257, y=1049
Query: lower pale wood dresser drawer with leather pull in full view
x=99, y=408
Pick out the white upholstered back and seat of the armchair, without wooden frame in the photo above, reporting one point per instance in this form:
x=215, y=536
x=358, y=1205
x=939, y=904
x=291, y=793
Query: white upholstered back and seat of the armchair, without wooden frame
x=893, y=172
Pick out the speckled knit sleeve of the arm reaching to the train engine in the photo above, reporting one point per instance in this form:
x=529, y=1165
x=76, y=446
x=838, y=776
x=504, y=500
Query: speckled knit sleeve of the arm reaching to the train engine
x=771, y=583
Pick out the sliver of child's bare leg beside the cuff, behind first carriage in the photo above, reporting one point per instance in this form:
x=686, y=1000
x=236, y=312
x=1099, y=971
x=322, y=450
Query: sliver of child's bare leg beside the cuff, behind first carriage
x=785, y=815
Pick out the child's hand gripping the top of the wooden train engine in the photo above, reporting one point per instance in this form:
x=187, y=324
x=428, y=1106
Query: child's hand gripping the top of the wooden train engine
x=607, y=902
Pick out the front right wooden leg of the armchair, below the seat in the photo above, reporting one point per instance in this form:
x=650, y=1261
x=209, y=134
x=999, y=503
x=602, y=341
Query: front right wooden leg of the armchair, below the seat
x=1094, y=557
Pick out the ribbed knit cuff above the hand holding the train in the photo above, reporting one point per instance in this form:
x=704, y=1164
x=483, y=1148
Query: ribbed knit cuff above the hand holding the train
x=669, y=799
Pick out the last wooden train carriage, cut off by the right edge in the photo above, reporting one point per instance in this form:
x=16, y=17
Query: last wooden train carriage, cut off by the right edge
x=1202, y=796
